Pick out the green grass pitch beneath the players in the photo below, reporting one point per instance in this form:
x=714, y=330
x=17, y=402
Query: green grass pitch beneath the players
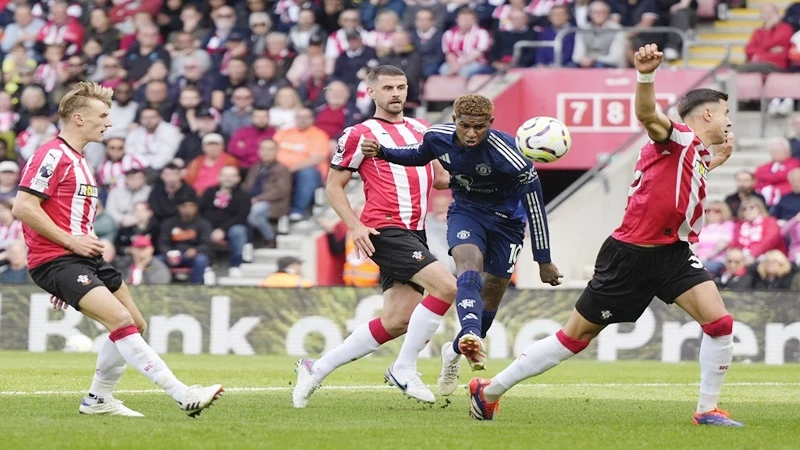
x=578, y=405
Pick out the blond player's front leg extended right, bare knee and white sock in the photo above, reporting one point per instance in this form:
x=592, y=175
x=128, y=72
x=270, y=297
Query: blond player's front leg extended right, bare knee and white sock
x=101, y=305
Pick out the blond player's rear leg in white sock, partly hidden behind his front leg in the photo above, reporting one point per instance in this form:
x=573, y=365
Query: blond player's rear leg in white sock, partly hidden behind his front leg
x=110, y=367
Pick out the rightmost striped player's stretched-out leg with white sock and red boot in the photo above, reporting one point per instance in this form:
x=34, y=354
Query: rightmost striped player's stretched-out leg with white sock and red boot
x=538, y=358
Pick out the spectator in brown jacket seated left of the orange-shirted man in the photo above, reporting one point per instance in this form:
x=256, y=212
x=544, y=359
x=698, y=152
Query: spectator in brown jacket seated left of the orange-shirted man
x=269, y=184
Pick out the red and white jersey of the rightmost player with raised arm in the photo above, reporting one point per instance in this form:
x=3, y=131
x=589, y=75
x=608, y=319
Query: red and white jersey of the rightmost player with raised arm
x=666, y=201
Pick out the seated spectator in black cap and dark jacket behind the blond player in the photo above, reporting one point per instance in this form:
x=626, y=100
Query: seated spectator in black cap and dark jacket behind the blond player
x=184, y=241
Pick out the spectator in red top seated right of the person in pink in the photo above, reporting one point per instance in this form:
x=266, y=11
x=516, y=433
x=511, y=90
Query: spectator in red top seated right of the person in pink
x=757, y=232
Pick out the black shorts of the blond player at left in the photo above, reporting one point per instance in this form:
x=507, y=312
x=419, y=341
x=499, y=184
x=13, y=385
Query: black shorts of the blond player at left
x=71, y=277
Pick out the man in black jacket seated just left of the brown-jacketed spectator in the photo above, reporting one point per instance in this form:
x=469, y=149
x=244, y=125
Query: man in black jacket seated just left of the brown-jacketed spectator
x=226, y=207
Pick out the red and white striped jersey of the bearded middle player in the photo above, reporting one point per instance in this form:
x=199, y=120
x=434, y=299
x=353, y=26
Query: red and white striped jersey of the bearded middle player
x=397, y=196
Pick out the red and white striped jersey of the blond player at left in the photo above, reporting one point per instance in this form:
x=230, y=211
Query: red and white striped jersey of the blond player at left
x=61, y=176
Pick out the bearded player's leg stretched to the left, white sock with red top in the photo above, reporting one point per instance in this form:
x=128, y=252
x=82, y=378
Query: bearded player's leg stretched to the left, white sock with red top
x=398, y=304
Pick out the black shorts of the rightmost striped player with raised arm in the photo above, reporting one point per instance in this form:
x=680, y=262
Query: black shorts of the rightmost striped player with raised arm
x=627, y=278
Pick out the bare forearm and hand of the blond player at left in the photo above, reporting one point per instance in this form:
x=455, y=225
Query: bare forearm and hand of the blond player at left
x=28, y=209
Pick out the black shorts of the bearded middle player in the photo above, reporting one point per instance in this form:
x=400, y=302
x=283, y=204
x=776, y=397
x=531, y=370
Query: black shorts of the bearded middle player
x=400, y=254
